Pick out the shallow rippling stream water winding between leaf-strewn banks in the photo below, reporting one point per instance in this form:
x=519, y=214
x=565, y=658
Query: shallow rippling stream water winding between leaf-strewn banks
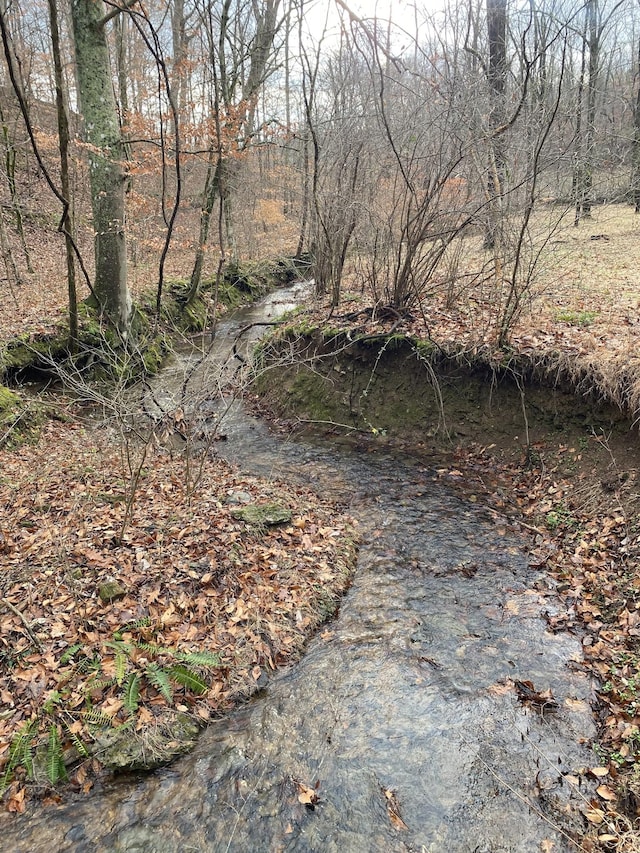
x=400, y=729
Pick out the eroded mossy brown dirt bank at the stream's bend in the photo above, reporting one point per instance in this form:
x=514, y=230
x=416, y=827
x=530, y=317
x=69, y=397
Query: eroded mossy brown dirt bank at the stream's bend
x=396, y=389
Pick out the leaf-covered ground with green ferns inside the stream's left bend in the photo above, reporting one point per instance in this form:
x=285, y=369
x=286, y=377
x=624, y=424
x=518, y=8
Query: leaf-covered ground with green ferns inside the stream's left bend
x=199, y=607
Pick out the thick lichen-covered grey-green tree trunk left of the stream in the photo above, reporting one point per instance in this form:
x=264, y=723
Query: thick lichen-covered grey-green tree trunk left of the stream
x=107, y=175
